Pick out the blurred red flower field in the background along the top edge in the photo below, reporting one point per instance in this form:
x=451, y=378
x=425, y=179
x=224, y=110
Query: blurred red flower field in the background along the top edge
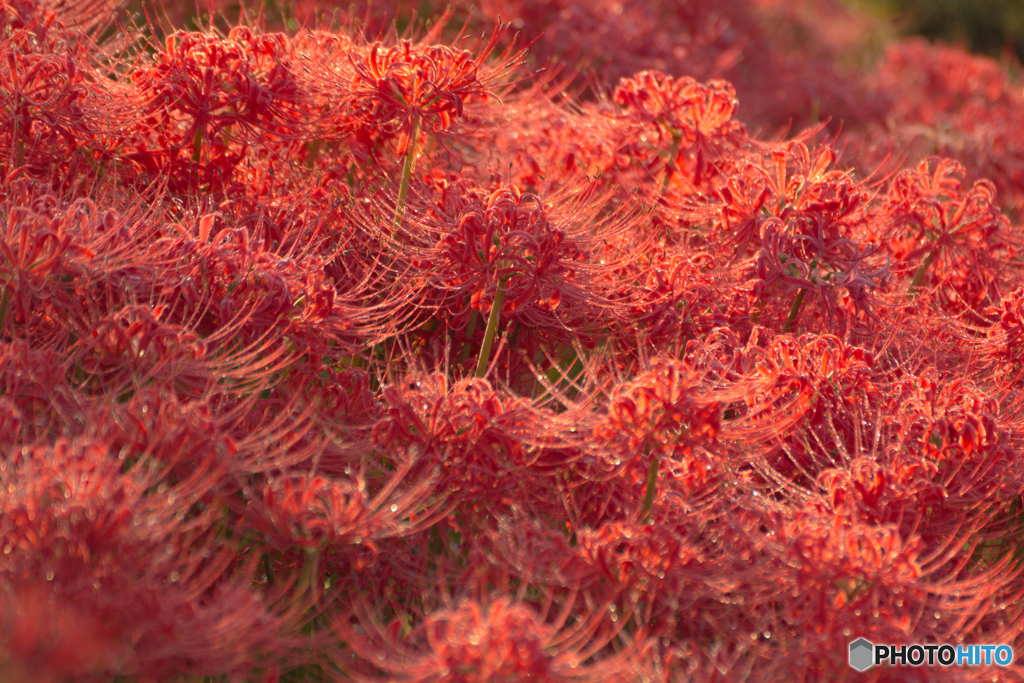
x=888, y=82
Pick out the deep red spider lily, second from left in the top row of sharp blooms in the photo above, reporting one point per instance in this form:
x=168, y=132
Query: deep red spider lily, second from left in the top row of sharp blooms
x=205, y=101
